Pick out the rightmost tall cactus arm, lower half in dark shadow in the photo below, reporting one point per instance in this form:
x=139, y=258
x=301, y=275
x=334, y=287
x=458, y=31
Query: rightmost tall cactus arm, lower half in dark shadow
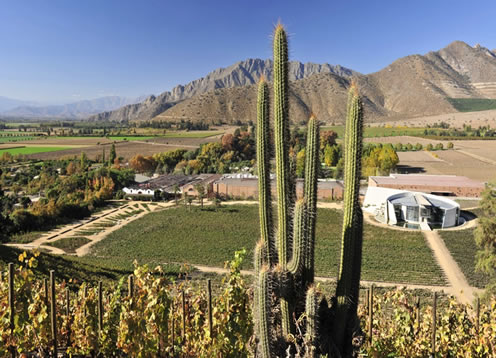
x=352, y=234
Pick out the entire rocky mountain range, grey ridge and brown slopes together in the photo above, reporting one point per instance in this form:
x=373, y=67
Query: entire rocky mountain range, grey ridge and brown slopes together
x=415, y=85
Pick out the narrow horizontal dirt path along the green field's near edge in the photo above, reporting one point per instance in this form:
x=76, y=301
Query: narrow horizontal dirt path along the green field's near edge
x=365, y=283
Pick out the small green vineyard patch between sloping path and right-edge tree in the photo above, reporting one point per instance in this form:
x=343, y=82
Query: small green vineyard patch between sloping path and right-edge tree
x=463, y=248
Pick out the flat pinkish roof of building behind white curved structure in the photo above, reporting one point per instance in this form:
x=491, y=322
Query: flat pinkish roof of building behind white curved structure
x=427, y=180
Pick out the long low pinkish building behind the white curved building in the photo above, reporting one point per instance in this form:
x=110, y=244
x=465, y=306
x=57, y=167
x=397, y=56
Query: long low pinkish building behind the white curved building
x=444, y=185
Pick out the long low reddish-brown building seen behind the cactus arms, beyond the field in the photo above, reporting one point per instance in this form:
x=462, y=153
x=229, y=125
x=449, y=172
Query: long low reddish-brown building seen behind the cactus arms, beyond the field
x=246, y=186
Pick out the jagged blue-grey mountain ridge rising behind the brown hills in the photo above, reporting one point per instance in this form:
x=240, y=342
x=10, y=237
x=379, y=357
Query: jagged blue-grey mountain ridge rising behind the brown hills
x=238, y=75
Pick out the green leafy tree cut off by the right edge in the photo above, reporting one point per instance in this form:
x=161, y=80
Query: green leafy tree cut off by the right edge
x=485, y=237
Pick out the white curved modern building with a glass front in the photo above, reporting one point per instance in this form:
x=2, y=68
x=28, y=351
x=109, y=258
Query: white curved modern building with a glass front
x=411, y=209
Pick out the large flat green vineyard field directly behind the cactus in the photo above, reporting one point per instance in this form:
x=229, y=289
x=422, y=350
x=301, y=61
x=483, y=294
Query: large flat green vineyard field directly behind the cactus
x=211, y=237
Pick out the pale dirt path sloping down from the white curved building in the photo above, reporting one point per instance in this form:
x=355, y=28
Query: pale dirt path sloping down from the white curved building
x=459, y=285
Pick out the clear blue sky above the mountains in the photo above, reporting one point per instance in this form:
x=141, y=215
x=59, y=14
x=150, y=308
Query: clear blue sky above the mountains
x=55, y=51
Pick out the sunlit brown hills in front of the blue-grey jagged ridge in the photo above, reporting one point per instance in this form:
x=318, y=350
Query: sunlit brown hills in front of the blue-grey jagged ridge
x=412, y=86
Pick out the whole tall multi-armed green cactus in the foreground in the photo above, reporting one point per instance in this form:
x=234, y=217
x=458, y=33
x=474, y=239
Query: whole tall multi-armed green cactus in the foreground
x=284, y=258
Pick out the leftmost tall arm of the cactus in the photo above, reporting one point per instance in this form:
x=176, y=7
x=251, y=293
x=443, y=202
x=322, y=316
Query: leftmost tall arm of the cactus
x=263, y=162
